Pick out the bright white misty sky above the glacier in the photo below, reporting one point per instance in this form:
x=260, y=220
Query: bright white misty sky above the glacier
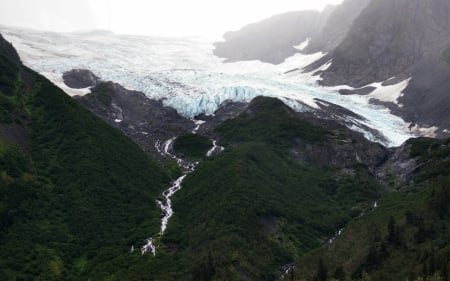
x=150, y=17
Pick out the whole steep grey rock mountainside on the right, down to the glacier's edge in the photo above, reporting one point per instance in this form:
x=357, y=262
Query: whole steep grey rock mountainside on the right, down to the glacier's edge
x=400, y=39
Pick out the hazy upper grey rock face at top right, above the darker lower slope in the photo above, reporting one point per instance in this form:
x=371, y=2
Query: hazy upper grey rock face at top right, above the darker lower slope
x=388, y=39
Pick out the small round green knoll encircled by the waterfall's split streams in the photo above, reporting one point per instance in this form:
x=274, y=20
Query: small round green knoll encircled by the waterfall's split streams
x=192, y=146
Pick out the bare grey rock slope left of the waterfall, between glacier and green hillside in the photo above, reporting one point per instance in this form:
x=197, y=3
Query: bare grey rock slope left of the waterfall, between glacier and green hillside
x=143, y=120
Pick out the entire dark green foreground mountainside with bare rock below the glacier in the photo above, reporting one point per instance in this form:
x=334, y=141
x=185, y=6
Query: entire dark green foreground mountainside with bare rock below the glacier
x=292, y=195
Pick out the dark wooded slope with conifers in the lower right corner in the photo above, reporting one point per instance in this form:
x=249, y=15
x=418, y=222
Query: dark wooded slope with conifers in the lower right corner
x=406, y=236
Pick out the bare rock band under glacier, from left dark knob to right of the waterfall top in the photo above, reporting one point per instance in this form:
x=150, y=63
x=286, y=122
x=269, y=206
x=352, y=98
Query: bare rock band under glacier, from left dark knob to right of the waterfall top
x=146, y=121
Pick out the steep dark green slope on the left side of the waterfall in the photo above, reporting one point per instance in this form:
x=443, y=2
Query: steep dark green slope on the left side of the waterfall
x=75, y=193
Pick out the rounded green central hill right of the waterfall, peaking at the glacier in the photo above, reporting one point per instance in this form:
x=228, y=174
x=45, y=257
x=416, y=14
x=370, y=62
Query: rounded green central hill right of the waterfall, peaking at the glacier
x=253, y=209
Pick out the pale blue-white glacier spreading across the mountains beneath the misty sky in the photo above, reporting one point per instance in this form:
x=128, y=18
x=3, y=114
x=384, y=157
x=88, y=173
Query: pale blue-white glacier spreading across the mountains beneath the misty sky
x=185, y=75
